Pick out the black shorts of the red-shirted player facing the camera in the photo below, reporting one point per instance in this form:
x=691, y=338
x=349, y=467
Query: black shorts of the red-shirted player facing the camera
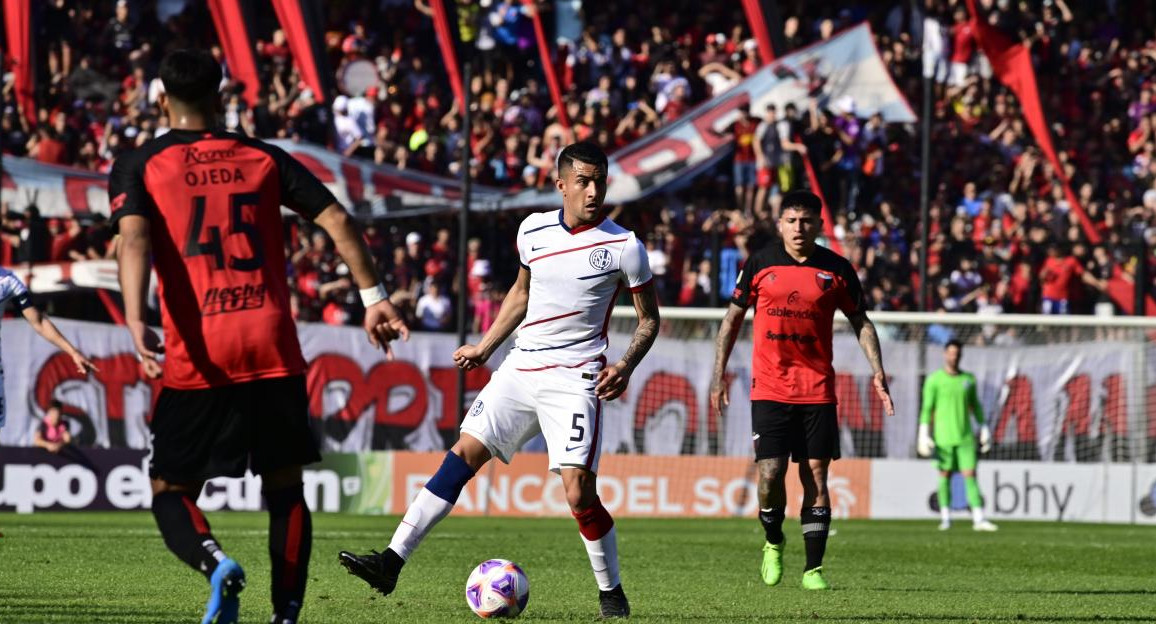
x=803, y=432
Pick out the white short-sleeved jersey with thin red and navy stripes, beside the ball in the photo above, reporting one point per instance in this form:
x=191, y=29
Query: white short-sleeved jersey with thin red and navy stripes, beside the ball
x=575, y=277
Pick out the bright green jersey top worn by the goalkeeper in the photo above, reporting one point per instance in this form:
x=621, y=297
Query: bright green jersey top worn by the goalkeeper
x=951, y=398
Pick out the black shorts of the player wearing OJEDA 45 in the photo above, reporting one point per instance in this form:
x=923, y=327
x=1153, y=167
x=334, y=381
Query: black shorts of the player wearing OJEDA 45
x=210, y=433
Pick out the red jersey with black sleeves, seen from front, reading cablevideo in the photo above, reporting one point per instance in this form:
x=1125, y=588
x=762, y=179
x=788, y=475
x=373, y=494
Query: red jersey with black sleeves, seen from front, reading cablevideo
x=795, y=311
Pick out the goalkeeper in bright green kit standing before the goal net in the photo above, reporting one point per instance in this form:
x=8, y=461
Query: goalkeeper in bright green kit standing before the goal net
x=951, y=400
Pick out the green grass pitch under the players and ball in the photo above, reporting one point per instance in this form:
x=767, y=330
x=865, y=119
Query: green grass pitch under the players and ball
x=113, y=568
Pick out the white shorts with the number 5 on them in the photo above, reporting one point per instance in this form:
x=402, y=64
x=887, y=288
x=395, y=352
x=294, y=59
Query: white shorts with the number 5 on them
x=523, y=400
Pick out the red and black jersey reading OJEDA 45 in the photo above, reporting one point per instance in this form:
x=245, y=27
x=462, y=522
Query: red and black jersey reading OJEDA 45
x=213, y=200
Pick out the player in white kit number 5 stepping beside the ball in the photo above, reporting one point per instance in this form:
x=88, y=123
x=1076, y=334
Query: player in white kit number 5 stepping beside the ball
x=574, y=263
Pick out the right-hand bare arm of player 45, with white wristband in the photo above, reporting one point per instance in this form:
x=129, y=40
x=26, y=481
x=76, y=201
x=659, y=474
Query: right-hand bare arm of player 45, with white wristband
x=383, y=323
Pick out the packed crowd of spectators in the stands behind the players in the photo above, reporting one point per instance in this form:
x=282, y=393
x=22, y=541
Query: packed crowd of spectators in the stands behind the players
x=1003, y=235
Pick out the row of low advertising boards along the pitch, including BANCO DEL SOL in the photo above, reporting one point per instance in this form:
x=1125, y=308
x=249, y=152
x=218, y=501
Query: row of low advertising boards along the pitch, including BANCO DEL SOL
x=377, y=484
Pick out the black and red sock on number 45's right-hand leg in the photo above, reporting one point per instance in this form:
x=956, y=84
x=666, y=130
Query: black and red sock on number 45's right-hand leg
x=291, y=544
